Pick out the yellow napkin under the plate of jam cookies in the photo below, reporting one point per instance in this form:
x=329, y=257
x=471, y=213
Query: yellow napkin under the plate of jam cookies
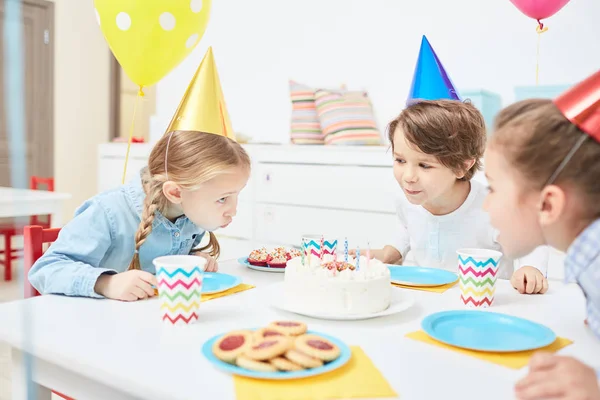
x=357, y=379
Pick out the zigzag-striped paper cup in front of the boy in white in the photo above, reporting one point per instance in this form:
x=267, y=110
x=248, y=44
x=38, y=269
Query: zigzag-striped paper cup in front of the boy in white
x=477, y=274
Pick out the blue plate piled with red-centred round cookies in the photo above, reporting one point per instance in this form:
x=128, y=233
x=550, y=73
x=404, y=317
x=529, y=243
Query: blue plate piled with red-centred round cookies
x=280, y=350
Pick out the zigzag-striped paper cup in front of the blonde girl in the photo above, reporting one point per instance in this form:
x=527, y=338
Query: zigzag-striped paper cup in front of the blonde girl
x=179, y=287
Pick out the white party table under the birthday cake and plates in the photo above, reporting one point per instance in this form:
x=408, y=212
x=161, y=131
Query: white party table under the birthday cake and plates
x=102, y=349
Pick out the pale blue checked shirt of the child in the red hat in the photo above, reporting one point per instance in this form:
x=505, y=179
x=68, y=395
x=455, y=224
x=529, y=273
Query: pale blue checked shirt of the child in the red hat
x=582, y=265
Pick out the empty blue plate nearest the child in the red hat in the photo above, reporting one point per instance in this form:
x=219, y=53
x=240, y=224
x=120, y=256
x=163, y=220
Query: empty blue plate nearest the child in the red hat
x=487, y=331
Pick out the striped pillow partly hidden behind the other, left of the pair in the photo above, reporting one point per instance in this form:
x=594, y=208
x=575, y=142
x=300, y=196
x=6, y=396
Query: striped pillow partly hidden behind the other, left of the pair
x=305, y=126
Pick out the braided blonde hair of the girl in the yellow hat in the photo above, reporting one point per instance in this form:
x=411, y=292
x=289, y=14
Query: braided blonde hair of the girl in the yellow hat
x=193, y=159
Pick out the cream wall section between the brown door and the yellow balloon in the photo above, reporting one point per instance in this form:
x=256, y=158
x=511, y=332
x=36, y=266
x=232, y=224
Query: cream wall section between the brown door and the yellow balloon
x=81, y=99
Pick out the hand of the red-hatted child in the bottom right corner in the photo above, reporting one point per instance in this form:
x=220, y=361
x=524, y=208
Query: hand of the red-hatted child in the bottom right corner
x=557, y=377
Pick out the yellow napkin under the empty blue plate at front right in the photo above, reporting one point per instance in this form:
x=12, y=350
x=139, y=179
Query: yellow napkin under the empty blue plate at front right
x=515, y=360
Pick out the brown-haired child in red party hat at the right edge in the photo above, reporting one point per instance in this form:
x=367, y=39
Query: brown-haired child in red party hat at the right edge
x=543, y=166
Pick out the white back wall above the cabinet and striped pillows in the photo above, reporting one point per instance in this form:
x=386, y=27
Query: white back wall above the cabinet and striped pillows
x=373, y=44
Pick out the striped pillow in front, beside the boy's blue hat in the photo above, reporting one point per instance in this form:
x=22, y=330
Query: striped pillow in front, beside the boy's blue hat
x=346, y=118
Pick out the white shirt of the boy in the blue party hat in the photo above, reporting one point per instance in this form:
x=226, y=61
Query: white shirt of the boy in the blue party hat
x=433, y=239
